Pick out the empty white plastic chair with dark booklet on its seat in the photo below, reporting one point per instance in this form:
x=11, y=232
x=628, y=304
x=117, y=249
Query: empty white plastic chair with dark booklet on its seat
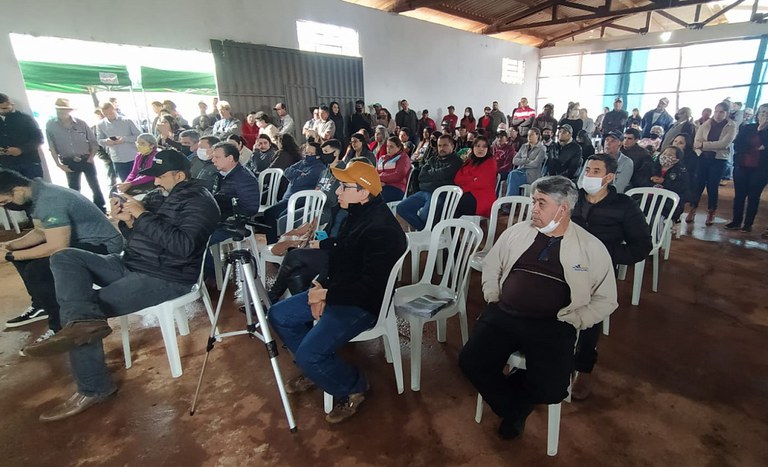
x=463, y=240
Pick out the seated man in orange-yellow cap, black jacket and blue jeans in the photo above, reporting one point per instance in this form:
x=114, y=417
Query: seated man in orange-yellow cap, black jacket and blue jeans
x=347, y=300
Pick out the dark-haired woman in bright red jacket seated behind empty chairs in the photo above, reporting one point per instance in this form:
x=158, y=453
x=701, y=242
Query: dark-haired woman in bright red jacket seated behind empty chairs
x=477, y=179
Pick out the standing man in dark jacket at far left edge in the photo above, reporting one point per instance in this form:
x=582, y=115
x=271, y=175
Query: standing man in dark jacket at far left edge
x=20, y=140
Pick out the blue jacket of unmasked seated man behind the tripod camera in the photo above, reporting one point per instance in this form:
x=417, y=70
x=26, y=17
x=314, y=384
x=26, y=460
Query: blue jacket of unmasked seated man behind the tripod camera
x=242, y=184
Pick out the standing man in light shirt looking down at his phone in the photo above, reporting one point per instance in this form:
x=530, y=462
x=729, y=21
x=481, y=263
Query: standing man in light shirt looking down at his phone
x=118, y=135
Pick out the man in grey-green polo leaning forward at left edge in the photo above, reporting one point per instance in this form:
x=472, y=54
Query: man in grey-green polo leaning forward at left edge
x=62, y=218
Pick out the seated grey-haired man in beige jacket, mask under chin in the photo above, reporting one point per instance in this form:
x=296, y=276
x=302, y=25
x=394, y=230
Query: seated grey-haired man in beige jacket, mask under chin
x=543, y=280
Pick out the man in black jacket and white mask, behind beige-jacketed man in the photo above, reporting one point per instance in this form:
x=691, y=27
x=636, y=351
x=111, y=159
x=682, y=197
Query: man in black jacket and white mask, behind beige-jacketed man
x=617, y=221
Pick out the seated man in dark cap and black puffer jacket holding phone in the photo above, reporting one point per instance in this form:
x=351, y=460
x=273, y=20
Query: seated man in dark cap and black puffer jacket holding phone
x=165, y=235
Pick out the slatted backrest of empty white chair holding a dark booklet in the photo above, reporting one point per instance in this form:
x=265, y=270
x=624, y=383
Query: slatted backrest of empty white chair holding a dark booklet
x=464, y=238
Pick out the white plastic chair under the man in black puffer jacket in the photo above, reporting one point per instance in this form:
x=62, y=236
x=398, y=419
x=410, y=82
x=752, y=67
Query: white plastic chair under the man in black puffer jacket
x=167, y=313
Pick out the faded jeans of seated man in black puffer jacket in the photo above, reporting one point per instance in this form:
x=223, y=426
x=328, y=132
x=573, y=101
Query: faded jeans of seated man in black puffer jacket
x=122, y=292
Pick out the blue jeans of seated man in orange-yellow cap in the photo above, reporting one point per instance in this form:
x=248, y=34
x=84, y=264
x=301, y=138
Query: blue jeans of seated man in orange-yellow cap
x=315, y=347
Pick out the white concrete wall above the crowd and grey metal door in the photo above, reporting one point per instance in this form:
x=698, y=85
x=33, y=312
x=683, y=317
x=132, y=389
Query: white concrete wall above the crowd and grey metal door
x=430, y=65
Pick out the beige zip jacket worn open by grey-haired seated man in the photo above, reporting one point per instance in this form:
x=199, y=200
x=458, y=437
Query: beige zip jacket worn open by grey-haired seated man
x=586, y=264
